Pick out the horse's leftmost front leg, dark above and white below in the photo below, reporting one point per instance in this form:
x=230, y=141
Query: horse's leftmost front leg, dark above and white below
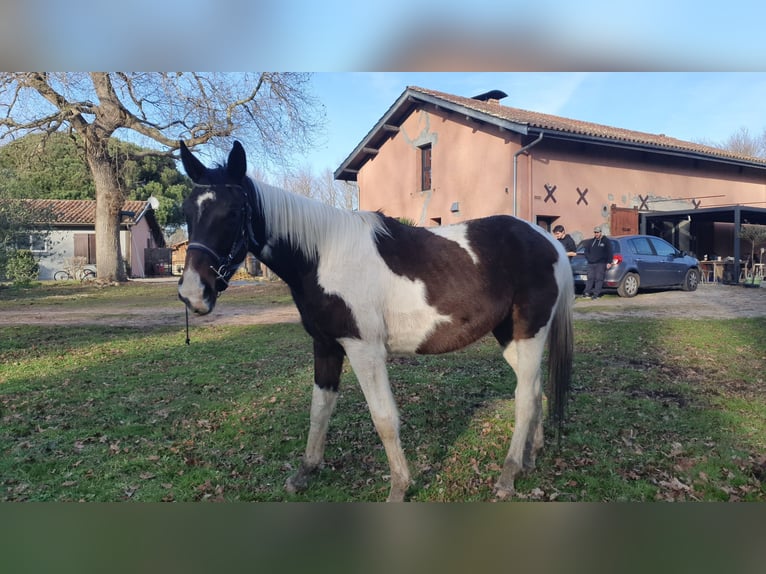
x=328, y=363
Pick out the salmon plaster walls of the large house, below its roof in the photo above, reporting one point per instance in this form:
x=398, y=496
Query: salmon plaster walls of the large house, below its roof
x=472, y=164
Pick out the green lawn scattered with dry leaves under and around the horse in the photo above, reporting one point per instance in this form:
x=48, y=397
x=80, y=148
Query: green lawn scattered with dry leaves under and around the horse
x=661, y=410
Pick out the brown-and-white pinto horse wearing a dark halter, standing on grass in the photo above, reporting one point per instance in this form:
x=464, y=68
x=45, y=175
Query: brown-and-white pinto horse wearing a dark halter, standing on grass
x=367, y=285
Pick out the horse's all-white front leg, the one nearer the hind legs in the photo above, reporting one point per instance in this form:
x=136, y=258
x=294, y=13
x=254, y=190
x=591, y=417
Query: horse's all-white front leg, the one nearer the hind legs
x=369, y=363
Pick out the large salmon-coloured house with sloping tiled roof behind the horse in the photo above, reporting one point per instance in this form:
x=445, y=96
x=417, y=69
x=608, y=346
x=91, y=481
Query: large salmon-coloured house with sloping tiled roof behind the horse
x=436, y=158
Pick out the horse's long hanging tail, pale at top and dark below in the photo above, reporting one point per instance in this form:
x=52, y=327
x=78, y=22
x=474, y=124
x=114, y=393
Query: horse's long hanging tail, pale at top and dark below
x=561, y=347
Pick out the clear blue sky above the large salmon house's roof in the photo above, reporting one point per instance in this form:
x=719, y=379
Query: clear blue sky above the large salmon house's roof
x=700, y=107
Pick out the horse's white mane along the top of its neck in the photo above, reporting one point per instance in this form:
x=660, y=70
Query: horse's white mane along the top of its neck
x=314, y=227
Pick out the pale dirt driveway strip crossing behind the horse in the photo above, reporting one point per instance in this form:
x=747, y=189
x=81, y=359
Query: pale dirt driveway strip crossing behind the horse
x=707, y=302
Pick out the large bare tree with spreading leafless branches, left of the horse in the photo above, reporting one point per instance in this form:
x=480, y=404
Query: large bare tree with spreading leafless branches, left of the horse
x=273, y=113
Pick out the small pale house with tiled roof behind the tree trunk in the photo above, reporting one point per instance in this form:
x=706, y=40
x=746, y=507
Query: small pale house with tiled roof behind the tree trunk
x=70, y=232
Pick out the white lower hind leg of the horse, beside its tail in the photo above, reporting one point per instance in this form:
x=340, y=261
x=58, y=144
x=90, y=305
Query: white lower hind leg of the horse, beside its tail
x=524, y=355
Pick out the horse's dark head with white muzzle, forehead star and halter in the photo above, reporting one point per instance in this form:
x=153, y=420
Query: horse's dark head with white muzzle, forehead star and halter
x=218, y=215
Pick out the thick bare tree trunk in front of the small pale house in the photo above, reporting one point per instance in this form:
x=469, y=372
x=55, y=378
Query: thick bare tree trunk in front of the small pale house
x=109, y=202
